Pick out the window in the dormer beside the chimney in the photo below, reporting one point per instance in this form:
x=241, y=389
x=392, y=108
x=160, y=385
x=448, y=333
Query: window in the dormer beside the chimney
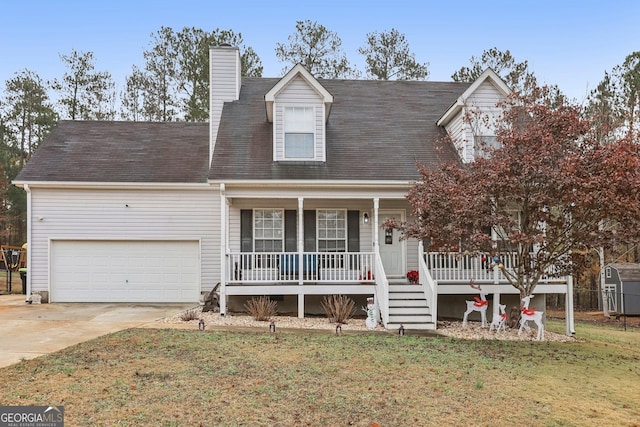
x=299, y=136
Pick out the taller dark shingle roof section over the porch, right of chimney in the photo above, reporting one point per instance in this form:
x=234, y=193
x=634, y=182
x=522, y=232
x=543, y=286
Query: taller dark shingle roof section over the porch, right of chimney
x=377, y=131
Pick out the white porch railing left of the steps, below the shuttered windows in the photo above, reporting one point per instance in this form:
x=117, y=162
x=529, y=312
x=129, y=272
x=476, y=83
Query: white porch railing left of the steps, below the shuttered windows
x=293, y=267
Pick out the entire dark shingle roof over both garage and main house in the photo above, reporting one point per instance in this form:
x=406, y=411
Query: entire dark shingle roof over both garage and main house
x=377, y=131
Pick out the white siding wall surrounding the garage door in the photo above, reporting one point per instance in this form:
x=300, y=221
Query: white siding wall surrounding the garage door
x=104, y=214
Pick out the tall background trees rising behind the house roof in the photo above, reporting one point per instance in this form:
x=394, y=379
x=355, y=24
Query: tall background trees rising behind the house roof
x=172, y=83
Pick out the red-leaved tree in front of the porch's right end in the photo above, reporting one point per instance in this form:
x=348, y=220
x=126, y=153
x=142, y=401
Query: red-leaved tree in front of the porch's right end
x=549, y=192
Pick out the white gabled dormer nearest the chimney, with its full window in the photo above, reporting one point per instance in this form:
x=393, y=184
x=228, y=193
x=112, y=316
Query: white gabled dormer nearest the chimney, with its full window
x=298, y=106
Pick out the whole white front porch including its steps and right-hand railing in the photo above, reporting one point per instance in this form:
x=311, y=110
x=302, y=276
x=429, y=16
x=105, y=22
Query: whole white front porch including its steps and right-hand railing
x=315, y=246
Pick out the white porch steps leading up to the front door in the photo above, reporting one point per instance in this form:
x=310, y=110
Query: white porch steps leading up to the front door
x=408, y=307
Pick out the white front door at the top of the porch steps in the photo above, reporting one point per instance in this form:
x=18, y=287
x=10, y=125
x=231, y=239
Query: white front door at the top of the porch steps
x=392, y=249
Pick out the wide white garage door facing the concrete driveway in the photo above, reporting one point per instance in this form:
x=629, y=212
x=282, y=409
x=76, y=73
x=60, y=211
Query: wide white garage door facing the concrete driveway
x=125, y=271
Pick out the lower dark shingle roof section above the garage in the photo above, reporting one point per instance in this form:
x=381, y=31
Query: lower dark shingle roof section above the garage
x=94, y=151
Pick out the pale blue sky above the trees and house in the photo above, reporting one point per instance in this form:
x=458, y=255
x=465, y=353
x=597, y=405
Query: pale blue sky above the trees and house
x=570, y=43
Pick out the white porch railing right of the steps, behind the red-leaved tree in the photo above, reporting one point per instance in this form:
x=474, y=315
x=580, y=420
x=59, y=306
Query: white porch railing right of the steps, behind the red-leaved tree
x=462, y=267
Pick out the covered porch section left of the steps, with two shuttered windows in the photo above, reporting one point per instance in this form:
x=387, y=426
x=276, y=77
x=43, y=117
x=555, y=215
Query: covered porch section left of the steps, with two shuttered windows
x=313, y=243
